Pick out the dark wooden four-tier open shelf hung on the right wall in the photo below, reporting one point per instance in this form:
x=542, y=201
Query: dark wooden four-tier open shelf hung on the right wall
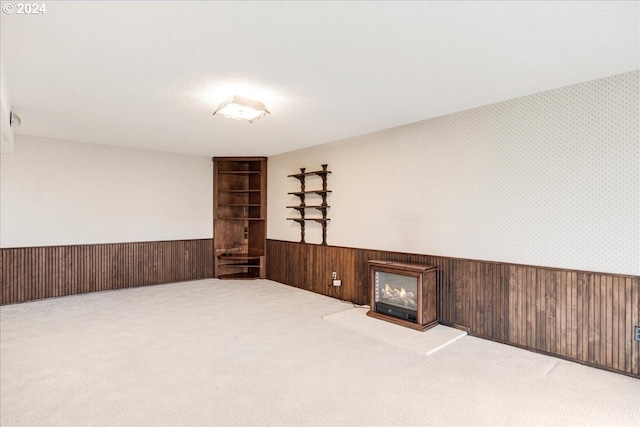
x=302, y=207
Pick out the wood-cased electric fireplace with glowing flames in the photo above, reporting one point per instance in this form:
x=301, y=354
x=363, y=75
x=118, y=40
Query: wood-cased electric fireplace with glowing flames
x=404, y=294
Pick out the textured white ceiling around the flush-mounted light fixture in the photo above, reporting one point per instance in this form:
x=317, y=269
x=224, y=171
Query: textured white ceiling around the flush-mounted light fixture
x=150, y=74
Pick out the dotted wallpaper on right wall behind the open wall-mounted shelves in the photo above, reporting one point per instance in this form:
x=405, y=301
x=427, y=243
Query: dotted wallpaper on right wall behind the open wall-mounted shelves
x=550, y=179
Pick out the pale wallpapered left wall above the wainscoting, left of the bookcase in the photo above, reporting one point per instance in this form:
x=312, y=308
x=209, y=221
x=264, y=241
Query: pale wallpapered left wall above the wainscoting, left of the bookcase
x=55, y=192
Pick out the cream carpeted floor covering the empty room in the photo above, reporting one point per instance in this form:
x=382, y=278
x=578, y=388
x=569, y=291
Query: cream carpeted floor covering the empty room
x=257, y=352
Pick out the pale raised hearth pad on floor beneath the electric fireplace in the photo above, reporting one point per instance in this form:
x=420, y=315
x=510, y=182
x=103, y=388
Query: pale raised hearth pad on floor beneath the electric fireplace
x=426, y=343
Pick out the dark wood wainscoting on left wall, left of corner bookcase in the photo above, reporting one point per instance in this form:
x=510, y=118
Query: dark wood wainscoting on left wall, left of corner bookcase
x=41, y=272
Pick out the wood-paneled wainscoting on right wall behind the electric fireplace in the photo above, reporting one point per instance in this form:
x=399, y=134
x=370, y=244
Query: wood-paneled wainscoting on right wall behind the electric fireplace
x=581, y=316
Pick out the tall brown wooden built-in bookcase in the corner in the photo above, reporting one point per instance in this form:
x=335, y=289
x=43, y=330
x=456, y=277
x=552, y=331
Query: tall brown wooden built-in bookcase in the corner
x=239, y=217
